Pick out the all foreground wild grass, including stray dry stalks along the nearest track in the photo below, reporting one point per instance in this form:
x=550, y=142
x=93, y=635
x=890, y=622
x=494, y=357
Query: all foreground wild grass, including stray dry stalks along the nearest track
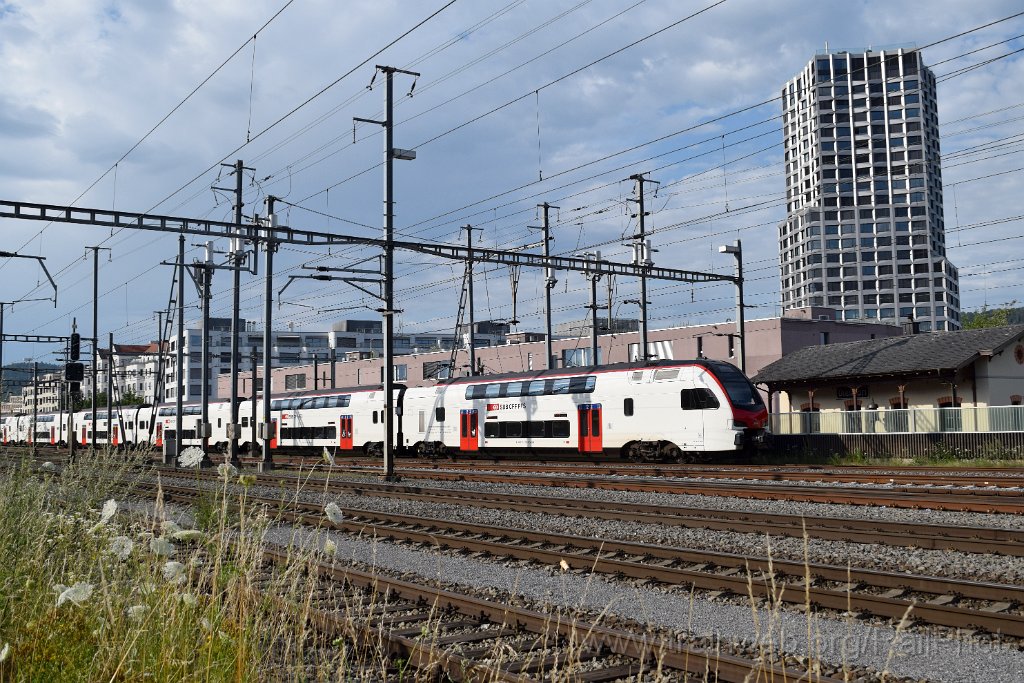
x=91, y=593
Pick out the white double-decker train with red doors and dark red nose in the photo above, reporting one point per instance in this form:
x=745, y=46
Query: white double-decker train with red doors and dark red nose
x=675, y=411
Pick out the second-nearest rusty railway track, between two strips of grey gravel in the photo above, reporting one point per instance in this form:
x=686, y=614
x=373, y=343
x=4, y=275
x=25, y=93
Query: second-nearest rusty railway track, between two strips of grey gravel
x=954, y=604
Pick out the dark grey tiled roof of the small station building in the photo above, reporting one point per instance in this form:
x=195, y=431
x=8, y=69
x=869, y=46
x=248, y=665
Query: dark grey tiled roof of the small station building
x=928, y=354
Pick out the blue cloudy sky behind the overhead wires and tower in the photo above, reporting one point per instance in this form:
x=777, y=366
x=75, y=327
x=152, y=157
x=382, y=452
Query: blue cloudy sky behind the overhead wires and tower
x=137, y=106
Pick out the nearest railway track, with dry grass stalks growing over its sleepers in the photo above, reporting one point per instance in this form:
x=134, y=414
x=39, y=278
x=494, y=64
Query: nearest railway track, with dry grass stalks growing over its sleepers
x=463, y=637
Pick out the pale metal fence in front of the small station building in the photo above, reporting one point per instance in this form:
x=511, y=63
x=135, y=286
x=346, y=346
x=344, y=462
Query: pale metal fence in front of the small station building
x=968, y=433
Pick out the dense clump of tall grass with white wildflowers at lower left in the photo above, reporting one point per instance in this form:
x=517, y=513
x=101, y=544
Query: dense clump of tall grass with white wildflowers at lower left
x=148, y=601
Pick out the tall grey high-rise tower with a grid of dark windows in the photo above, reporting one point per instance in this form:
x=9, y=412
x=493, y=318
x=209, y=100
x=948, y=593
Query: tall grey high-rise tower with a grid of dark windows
x=865, y=231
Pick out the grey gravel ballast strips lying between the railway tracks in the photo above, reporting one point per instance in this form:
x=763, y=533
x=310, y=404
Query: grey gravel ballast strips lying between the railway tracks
x=917, y=655
